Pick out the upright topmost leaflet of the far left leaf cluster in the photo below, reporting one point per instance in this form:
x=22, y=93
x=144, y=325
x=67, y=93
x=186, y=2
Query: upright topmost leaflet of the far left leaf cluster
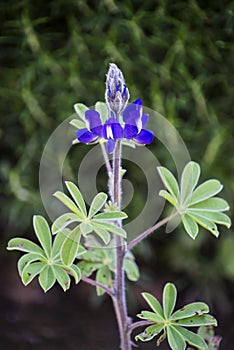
x=43, y=233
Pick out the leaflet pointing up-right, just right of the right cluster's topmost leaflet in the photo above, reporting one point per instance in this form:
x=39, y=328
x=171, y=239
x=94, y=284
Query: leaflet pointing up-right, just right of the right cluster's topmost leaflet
x=206, y=190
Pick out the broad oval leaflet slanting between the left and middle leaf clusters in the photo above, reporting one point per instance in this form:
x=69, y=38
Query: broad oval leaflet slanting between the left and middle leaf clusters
x=70, y=247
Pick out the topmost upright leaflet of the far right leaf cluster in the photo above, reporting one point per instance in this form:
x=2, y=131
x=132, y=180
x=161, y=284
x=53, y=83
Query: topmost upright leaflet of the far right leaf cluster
x=189, y=180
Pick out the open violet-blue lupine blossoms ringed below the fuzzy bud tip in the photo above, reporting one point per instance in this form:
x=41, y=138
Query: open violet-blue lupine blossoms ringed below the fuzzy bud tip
x=112, y=130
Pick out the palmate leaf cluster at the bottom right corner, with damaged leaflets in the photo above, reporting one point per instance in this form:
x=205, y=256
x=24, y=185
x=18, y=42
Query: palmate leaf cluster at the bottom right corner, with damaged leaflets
x=174, y=324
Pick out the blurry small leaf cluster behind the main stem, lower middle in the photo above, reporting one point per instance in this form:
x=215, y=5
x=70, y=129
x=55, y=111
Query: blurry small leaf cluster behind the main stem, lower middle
x=103, y=262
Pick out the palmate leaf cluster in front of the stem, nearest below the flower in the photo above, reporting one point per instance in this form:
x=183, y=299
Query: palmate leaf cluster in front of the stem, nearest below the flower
x=101, y=224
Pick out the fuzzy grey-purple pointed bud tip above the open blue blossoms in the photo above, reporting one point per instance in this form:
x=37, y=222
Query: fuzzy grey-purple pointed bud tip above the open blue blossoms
x=117, y=94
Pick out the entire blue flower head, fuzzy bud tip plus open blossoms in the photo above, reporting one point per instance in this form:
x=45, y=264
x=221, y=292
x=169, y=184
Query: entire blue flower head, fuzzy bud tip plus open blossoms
x=133, y=122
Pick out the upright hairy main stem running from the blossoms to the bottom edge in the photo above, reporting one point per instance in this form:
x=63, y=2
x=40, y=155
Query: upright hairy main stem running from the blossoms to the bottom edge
x=119, y=301
